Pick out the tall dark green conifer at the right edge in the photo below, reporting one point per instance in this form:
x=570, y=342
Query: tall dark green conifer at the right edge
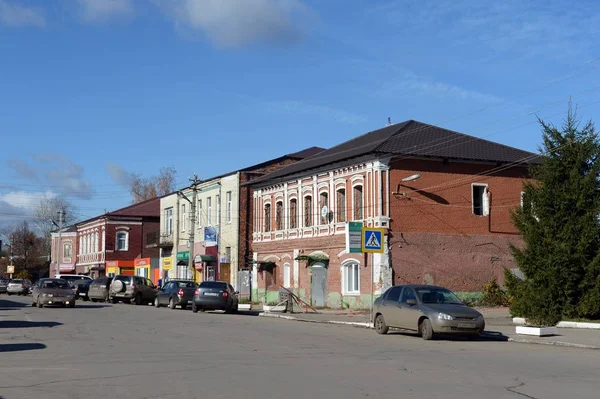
x=559, y=225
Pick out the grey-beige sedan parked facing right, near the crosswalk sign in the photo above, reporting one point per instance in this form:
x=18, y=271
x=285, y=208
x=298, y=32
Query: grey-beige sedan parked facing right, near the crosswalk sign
x=426, y=309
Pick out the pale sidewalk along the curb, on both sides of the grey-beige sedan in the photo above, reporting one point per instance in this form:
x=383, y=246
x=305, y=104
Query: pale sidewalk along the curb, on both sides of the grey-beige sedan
x=499, y=327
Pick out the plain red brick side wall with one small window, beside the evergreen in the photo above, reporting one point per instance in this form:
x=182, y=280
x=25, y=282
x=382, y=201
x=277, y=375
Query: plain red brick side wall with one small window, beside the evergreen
x=435, y=238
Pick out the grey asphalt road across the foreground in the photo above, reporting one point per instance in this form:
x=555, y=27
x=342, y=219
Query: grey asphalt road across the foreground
x=127, y=351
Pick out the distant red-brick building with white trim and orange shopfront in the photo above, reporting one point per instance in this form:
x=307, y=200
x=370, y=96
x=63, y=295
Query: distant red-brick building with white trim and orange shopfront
x=113, y=243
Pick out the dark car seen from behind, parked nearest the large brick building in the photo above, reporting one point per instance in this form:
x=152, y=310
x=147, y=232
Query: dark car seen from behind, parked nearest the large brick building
x=215, y=295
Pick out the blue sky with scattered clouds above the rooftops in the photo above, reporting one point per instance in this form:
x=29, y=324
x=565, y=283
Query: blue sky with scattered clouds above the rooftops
x=91, y=90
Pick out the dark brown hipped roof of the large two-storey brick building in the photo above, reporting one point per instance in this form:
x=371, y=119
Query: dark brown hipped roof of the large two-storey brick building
x=410, y=138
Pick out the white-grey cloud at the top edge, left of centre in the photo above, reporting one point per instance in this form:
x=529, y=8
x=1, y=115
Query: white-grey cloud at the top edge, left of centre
x=233, y=23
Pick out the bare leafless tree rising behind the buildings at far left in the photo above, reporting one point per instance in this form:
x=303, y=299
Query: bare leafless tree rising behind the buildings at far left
x=46, y=214
